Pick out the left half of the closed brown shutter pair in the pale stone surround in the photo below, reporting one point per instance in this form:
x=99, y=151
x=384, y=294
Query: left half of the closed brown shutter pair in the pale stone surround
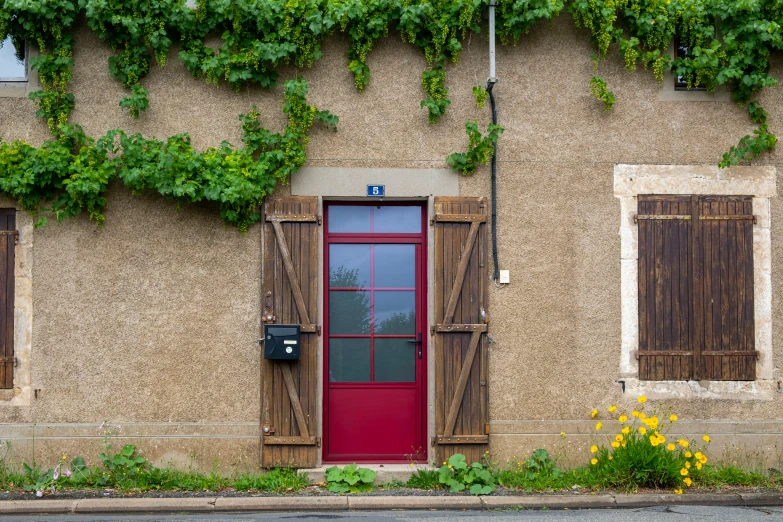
x=664, y=288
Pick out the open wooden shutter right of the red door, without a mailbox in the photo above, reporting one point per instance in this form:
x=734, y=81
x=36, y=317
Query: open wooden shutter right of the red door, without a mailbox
x=461, y=358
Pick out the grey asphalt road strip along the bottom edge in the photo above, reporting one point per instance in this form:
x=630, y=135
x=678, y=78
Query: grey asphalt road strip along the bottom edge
x=652, y=514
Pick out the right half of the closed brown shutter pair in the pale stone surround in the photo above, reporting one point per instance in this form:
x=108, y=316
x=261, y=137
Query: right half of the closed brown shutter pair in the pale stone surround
x=725, y=250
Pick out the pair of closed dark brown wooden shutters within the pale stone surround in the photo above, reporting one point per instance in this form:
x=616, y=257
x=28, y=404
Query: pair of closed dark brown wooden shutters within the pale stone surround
x=696, y=288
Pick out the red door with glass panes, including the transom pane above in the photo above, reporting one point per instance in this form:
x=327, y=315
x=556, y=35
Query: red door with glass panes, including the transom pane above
x=374, y=342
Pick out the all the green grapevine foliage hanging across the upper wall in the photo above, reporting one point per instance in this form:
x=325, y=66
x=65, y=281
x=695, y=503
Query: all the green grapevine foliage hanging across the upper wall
x=242, y=42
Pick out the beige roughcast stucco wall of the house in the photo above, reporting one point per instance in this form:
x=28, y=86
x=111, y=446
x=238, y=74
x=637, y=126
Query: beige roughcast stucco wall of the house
x=150, y=322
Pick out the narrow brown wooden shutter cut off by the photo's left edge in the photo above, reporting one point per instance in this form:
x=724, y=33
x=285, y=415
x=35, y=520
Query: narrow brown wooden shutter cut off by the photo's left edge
x=7, y=242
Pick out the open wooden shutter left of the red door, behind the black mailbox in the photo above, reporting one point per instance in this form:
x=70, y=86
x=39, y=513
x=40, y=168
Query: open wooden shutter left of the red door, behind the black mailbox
x=289, y=388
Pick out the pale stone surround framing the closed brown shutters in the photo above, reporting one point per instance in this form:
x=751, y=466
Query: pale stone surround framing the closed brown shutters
x=759, y=182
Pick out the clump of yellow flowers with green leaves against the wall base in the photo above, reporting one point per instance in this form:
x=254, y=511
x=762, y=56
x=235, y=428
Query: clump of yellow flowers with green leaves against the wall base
x=641, y=455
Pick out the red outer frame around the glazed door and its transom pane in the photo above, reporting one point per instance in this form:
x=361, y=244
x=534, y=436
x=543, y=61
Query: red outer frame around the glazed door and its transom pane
x=423, y=240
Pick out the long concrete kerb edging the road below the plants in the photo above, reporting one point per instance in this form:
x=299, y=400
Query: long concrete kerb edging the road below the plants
x=359, y=502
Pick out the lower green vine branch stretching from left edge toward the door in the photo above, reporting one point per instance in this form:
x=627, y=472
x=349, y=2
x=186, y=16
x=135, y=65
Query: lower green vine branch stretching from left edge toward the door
x=70, y=175
